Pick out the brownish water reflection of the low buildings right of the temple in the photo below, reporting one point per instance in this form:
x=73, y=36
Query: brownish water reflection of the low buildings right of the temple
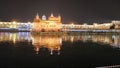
x=113, y=40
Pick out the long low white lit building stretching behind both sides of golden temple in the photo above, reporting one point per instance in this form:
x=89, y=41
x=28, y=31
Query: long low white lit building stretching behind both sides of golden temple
x=65, y=27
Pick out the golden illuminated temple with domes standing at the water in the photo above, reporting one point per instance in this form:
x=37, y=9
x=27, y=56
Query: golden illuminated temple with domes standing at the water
x=53, y=24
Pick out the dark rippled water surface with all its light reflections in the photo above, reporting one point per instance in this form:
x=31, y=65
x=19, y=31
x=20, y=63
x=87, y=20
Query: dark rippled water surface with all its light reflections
x=23, y=50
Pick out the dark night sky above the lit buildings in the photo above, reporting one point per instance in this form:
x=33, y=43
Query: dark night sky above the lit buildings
x=71, y=10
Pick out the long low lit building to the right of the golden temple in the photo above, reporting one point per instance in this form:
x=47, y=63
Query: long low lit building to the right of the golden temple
x=85, y=26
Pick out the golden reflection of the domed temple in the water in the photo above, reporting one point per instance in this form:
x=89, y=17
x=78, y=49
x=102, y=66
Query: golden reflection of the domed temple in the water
x=51, y=42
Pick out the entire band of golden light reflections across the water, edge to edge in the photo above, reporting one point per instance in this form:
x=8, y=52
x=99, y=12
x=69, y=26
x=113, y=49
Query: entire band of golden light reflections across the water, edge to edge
x=53, y=42
